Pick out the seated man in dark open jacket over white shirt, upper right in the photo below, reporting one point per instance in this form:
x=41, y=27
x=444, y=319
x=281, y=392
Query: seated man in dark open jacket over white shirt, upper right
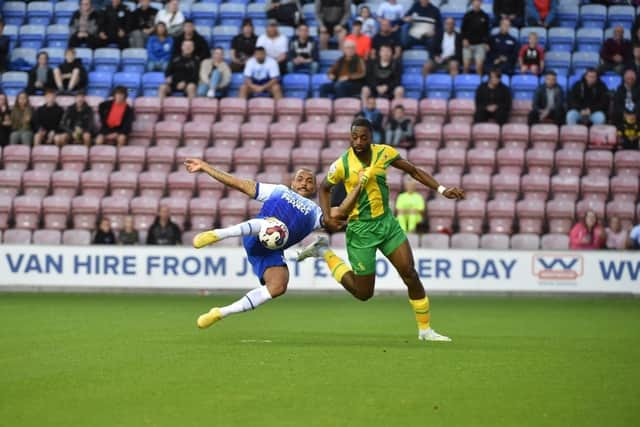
x=446, y=54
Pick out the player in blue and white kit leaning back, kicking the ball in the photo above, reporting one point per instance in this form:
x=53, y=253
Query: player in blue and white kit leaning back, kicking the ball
x=292, y=206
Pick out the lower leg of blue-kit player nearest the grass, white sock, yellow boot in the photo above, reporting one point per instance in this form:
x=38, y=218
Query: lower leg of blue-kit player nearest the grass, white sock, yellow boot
x=275, y=279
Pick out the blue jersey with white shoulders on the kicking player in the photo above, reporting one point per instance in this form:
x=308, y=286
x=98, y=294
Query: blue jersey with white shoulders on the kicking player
x=300, y=214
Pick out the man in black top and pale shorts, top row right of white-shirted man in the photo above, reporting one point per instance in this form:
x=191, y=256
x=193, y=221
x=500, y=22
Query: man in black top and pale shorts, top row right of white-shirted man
x=475, y=37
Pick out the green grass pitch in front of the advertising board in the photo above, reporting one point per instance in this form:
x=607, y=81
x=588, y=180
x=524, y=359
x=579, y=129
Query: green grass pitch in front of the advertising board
x=139, y=360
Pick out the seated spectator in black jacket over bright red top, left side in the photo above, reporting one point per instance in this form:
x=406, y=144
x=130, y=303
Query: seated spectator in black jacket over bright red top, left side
x=116, y=119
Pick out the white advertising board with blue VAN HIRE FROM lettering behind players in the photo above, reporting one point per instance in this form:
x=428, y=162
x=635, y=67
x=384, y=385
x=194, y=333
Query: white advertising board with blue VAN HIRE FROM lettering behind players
x=226, y=269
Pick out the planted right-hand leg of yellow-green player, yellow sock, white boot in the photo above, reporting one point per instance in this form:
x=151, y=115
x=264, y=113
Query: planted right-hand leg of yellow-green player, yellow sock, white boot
x=402, y=260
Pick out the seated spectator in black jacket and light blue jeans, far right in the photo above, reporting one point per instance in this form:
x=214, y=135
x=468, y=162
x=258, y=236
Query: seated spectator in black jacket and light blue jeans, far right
x=588, y=100
